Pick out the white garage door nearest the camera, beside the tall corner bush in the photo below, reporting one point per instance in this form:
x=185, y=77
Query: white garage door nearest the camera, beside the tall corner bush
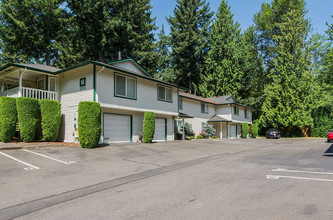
x=117, y=128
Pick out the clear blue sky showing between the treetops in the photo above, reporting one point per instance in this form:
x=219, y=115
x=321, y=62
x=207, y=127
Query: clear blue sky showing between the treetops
x=319, y=11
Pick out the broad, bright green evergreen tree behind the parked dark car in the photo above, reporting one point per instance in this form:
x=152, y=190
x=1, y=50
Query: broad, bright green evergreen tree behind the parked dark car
x=289, y=98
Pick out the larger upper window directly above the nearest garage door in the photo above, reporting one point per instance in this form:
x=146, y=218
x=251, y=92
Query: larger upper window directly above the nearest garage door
x=125, y=86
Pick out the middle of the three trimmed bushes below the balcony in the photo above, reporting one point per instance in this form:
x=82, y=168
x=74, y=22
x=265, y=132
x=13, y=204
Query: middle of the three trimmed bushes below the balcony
x=27, y=111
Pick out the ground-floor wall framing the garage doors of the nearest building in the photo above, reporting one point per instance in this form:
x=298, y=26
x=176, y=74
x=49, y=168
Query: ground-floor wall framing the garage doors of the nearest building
x=137, y=125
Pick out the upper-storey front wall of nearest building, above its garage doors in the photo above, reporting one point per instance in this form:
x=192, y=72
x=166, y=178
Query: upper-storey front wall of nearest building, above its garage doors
x=146, y=94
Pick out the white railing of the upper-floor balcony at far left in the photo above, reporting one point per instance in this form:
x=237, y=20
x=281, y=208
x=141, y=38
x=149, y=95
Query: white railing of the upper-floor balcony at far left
x=30, y=93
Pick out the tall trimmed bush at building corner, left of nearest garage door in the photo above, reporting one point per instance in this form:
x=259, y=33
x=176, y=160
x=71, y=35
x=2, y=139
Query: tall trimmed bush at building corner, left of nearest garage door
x=89, y=122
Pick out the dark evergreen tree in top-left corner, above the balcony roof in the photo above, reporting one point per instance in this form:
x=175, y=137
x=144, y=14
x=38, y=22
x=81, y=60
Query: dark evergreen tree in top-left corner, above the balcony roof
x=30, y=30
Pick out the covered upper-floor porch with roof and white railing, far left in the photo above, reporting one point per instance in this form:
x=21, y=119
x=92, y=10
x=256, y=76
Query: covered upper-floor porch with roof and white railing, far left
x=29, y=80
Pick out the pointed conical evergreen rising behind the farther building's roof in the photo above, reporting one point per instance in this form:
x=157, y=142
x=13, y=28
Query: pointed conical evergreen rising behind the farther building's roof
x=225, y=59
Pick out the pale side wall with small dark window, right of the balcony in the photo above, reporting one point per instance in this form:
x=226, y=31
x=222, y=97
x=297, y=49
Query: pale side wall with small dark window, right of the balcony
x=71, y=96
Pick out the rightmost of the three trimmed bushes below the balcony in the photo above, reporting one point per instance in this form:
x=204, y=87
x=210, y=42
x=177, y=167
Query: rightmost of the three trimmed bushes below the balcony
x=51, y=117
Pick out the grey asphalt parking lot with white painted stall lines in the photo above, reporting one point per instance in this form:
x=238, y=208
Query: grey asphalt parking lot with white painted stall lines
x=201, y=179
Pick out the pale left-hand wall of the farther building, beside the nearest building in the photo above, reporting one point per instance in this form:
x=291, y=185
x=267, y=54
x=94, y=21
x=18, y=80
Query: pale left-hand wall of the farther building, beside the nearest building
x=193, y=108
